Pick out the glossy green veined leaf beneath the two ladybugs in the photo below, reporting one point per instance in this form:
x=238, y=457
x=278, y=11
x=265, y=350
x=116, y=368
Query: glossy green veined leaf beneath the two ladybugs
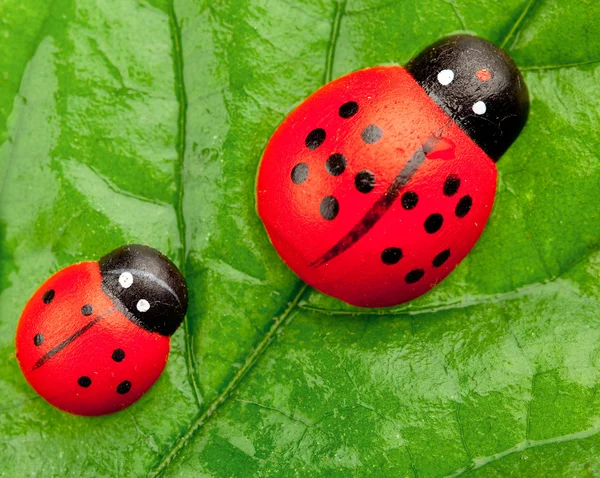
x=142, y=121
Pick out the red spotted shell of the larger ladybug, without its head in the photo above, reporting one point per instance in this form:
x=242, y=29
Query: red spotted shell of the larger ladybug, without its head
x=389, y=98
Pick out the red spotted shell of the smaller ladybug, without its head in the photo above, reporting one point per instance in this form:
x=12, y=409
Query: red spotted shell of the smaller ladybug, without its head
x=102, y=363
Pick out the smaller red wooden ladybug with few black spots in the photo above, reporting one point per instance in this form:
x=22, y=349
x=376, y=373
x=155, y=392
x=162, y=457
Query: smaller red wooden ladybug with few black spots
x=95, y=336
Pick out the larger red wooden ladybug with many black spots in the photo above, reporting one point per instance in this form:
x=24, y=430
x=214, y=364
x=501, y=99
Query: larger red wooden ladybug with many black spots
x=378, y=185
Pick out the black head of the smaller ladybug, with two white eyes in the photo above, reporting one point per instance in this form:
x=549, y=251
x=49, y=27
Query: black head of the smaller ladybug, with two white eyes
x=146, y=286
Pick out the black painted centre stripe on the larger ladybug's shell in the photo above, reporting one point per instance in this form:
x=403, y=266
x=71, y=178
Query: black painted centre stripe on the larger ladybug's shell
x=382, y=205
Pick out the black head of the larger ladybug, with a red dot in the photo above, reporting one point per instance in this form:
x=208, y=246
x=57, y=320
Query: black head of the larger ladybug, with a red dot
x=479, y=86
